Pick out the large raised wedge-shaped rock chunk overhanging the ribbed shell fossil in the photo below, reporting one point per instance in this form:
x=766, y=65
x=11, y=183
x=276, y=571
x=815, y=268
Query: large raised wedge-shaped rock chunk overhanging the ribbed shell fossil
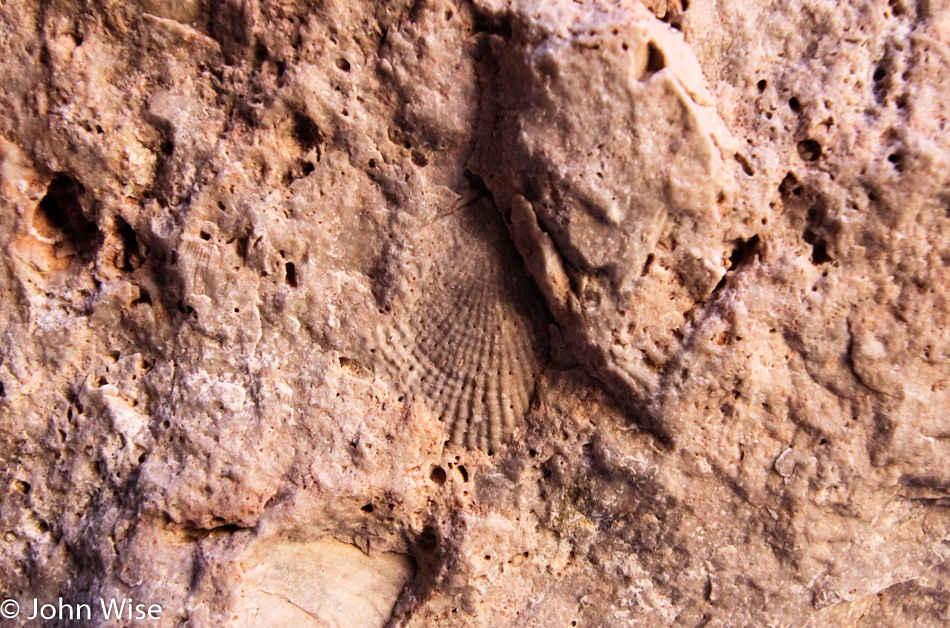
x=635, y=191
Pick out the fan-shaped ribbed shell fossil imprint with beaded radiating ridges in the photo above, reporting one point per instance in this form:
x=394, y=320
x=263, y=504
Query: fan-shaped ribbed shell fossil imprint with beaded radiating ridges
x=468, y=330
